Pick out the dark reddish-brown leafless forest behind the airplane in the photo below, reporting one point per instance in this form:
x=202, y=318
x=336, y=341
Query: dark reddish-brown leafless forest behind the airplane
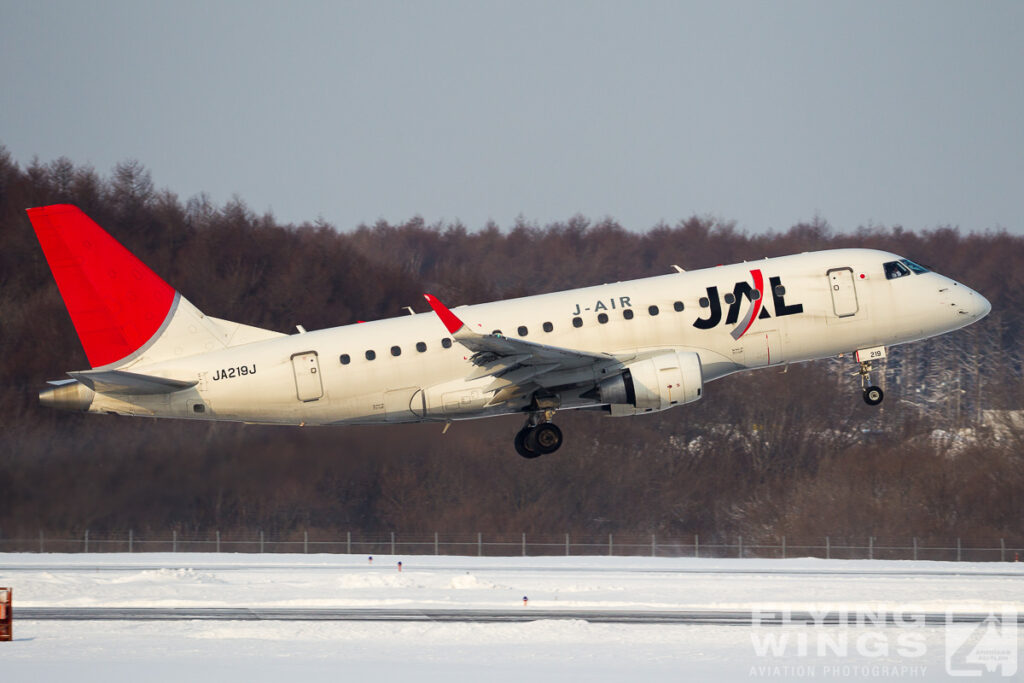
x=777, y=452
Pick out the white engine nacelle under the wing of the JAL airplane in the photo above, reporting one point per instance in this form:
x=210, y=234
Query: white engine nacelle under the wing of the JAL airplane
x=655, y=385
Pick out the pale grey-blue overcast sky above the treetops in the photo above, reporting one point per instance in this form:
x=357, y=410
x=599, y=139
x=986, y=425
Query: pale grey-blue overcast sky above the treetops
x=763, y=113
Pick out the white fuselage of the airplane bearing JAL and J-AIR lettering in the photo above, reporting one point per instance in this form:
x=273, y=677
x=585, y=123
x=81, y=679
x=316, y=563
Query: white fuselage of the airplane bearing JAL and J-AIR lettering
x=833, y=303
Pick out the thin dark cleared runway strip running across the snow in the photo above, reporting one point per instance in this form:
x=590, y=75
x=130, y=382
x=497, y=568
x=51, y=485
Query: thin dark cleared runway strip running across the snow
x=719, y=618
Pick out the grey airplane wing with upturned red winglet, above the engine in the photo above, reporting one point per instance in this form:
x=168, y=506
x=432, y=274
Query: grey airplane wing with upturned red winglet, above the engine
x=519, y=366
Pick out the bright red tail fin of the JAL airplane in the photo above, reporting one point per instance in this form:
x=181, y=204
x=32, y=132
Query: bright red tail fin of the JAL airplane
x=116, y=304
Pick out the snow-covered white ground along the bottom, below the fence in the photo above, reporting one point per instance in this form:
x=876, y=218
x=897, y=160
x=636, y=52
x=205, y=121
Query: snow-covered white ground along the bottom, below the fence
x=865, y=649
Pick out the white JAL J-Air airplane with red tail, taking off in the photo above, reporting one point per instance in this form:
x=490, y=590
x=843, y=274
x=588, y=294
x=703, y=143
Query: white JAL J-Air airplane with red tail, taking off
x=626, y=349
